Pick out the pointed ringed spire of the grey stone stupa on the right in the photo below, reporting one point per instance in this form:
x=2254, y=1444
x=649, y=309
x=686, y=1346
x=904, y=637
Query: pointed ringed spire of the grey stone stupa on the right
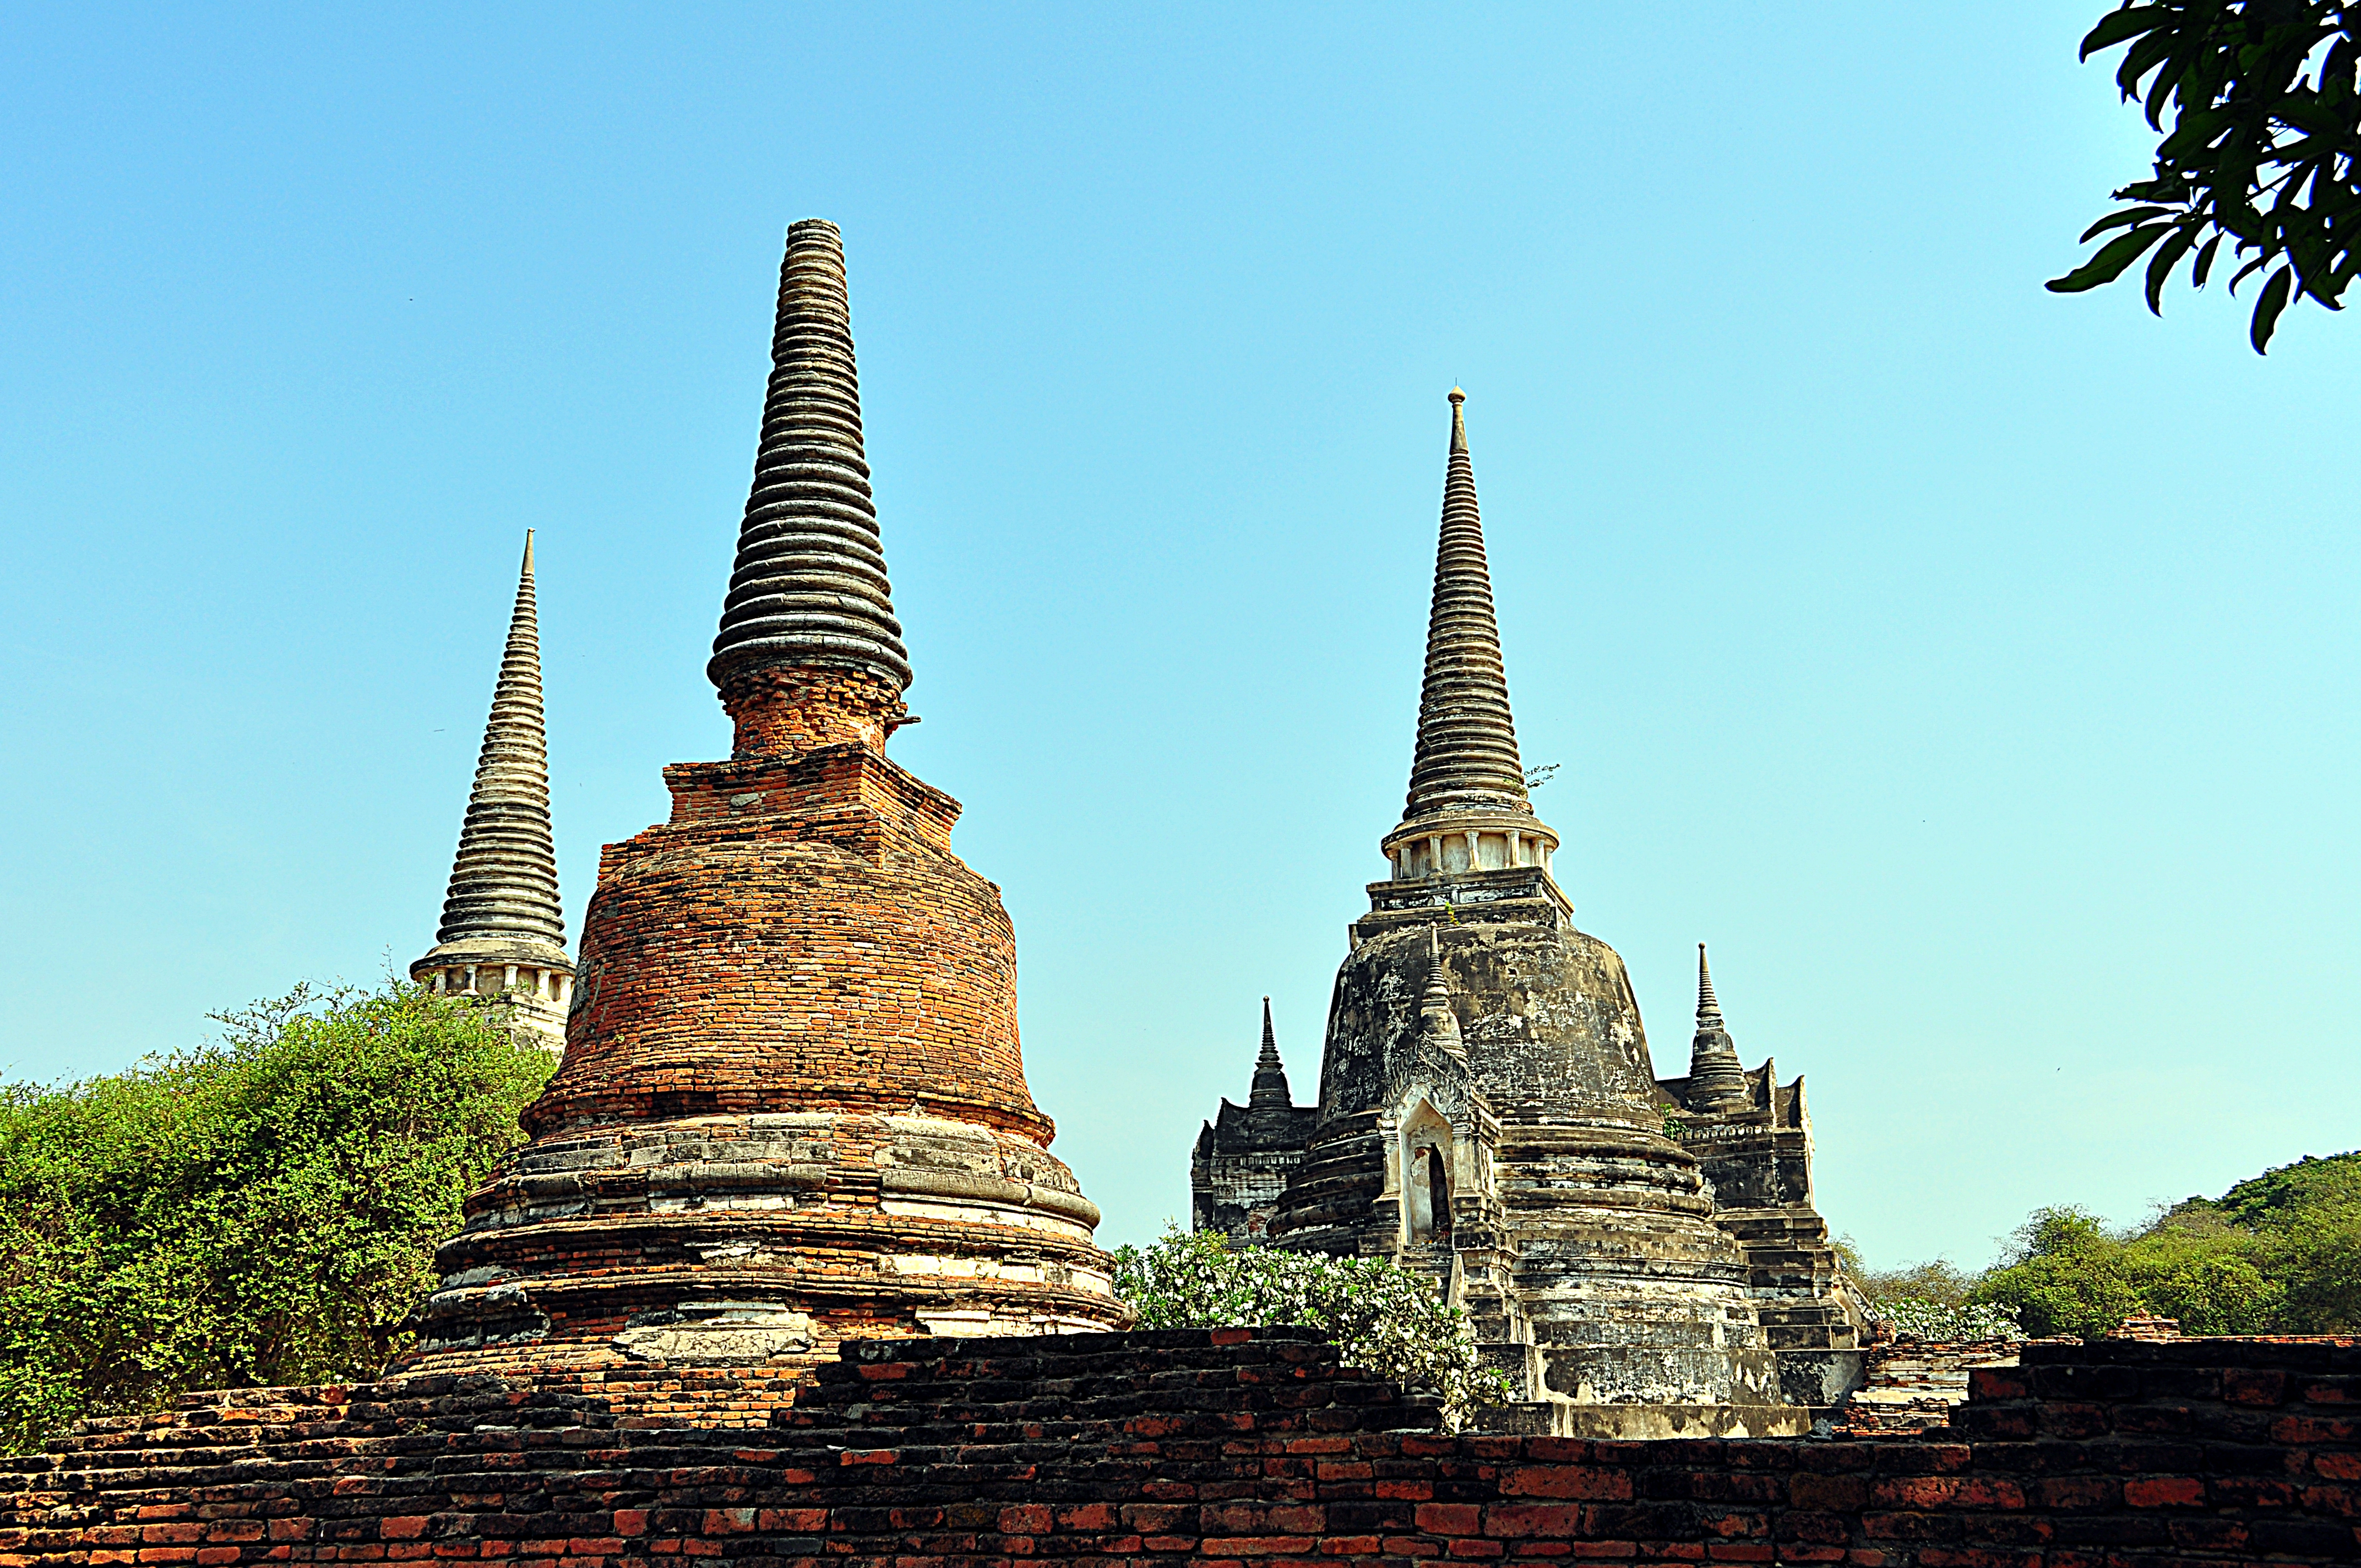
x=1467, y=740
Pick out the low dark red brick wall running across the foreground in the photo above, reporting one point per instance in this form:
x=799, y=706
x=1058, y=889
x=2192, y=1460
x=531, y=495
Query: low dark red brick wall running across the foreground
x=1212, y=1449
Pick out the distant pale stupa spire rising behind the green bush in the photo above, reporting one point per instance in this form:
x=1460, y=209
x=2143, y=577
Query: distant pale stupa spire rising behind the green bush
x=504, y=932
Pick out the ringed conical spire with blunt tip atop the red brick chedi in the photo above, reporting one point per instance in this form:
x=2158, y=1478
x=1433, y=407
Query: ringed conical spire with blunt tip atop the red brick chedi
x=811, y=570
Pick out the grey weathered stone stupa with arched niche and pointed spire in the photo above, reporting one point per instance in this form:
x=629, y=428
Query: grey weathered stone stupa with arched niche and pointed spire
x=1489, y=1116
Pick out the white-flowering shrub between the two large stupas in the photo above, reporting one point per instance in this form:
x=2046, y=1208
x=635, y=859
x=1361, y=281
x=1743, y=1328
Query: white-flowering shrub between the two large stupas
x=1375, y=1314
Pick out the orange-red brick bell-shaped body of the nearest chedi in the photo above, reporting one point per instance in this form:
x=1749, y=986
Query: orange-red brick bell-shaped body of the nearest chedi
x=797, y=936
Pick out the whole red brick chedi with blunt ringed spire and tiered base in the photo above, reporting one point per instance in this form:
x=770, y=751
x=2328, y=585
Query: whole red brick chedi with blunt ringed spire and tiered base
x=792, y=1106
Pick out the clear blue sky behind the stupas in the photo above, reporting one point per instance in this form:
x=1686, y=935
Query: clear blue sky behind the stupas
x=1970, y=667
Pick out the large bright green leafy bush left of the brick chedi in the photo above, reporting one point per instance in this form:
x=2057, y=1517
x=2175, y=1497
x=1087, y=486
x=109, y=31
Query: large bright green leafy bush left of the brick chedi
x=261, y=1210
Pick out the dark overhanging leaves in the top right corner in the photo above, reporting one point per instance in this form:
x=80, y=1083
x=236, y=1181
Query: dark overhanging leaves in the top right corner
x=2261, y=122
